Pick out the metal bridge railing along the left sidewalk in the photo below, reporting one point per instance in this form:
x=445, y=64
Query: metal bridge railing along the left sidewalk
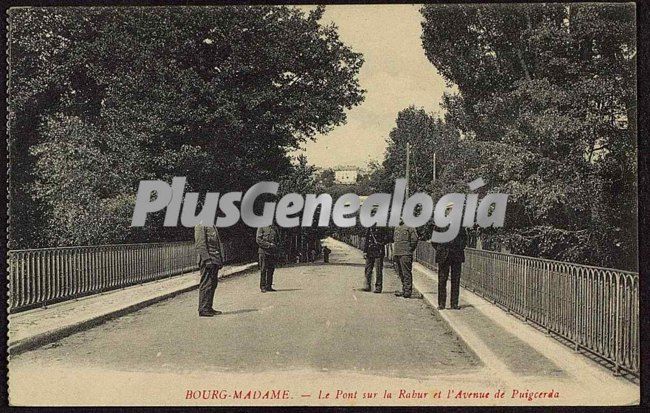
x=38, y=277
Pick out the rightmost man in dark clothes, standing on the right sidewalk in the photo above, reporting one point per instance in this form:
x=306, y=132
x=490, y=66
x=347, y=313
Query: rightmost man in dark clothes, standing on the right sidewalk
x=450, y=256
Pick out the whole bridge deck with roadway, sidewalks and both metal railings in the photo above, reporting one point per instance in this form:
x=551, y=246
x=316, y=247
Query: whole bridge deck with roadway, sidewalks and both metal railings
x=126, y=314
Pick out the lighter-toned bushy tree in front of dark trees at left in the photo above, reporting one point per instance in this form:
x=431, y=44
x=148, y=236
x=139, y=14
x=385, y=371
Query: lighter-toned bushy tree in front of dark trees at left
x=88, y=182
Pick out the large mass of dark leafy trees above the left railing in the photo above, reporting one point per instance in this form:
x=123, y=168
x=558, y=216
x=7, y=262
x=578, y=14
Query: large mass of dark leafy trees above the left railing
x=219, y=95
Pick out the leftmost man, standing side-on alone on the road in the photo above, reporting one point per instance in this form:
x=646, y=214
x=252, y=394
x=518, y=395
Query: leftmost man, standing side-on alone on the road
x=208, y=247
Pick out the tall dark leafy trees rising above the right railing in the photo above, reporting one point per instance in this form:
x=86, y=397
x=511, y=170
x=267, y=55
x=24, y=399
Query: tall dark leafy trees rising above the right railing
x=548, y=93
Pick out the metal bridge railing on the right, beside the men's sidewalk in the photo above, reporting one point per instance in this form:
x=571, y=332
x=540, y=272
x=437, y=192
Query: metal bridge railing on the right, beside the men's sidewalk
x=595, y=309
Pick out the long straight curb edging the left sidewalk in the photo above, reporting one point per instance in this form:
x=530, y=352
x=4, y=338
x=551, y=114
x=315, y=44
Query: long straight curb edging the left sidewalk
x=30, y=343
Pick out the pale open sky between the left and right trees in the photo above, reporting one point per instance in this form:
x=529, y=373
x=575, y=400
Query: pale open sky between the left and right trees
x=395, y=74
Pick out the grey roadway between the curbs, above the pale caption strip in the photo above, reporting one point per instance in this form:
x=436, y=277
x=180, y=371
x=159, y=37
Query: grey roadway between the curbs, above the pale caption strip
x=318, y=320
